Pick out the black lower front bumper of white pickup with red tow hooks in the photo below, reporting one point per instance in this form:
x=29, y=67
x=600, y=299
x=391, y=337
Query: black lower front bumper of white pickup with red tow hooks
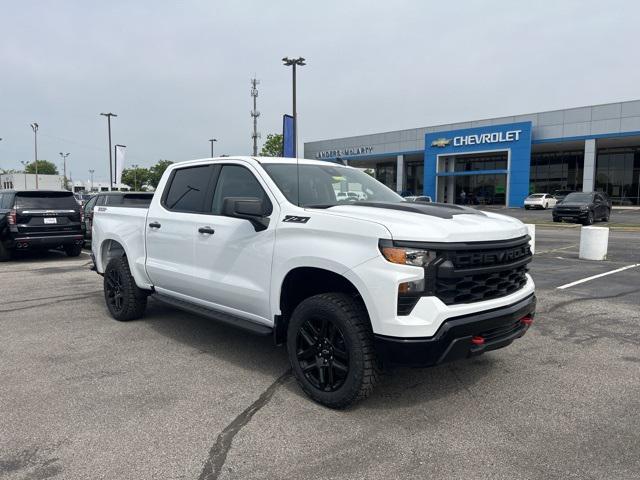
x=460, y=337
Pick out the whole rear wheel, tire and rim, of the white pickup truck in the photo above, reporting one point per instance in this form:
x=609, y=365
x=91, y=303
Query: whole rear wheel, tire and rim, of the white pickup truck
x=124, y=299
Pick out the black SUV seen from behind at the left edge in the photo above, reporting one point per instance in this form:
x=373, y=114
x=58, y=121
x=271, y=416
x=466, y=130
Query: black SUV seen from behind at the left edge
x=31, y=219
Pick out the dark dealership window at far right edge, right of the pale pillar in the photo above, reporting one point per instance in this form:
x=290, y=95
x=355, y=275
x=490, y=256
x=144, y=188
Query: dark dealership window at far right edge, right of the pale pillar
x=618, y=174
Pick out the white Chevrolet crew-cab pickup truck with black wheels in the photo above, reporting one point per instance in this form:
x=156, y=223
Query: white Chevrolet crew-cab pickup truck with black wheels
x=348, y=284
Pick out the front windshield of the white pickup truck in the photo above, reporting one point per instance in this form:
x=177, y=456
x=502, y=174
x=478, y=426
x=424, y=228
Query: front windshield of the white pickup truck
x=328, y=185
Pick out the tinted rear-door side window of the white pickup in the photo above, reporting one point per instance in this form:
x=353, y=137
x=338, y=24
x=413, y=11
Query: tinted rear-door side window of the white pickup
x=188, y=189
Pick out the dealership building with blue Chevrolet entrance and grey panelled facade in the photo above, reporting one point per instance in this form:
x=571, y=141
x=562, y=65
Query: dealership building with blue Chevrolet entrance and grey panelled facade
x=501, y=160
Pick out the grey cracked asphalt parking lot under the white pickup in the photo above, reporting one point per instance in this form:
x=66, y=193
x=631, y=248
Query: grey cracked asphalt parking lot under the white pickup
x=175, y=396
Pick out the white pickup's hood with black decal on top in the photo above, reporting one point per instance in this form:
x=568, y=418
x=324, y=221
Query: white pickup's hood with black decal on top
x=434, y=222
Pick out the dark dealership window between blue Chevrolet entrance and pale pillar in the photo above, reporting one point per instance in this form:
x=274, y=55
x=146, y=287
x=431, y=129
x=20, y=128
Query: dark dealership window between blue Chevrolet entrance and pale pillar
x=551, y=171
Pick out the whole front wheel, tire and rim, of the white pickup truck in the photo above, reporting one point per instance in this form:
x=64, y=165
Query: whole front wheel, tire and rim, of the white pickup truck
x=331, y=349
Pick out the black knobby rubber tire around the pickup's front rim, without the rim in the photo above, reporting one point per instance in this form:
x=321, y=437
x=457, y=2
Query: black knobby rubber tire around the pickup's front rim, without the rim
x=349, y=315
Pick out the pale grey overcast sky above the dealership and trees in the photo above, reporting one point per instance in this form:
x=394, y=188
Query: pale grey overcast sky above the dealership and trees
x=177, y=73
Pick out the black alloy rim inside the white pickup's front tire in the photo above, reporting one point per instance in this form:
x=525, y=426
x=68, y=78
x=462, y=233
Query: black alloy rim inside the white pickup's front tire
x=322, y=354
